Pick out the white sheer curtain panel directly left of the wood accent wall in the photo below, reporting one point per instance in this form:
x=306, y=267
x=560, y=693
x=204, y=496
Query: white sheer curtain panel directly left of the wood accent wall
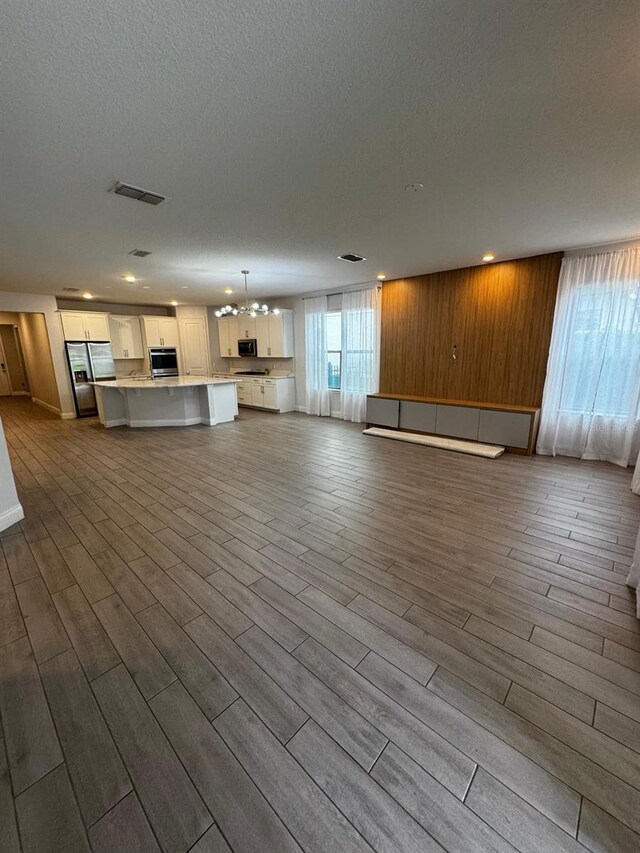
x=360, y=351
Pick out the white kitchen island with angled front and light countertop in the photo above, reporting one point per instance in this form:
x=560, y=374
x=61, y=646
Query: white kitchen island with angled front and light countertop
x=171, y=401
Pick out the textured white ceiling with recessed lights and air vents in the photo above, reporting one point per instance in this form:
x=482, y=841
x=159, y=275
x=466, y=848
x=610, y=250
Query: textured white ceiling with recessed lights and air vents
x=283, y=133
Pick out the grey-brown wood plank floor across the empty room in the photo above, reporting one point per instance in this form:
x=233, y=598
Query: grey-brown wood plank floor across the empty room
x=280, y=635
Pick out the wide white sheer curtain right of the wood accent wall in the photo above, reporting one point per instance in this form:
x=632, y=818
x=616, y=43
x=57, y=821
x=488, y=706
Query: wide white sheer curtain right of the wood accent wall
x=591, y=402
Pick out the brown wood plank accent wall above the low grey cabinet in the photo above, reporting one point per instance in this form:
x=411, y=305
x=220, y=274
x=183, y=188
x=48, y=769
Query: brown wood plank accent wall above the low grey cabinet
x=499, y=317
